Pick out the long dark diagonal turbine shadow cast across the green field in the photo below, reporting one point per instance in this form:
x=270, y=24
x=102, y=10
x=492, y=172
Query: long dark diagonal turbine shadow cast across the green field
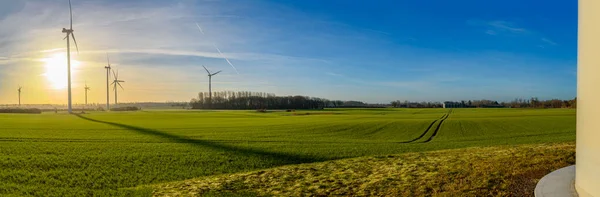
x=281, y=157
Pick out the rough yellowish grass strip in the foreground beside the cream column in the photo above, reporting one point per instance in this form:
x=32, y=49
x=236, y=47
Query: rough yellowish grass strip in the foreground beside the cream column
x=492, y=171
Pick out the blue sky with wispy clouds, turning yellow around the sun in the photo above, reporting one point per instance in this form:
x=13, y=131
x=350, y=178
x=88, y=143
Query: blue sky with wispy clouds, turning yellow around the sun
x=374, y=51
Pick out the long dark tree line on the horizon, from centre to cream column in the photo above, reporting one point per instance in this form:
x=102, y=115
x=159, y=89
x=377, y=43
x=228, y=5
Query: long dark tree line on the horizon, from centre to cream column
x=261, y=100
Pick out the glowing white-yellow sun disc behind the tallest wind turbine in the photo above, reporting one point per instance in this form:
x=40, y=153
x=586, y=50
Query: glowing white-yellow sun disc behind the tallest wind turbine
x=56, y=70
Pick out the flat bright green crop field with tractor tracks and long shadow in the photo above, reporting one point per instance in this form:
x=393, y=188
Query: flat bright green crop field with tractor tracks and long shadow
x=101, y=153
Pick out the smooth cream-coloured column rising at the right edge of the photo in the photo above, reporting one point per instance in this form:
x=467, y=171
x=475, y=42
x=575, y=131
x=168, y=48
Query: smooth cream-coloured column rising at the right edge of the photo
x=587, y=175
